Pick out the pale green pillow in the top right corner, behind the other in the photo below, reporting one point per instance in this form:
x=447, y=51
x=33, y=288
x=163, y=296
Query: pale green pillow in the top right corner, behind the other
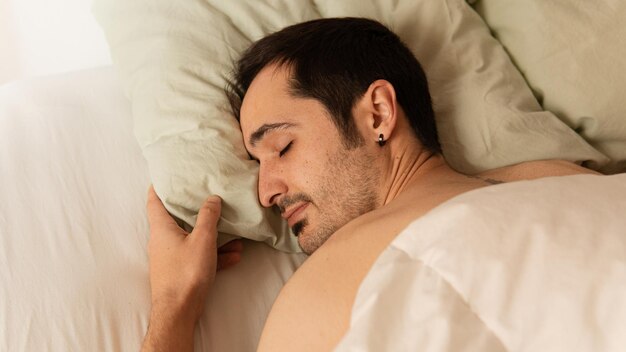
x=572, y=55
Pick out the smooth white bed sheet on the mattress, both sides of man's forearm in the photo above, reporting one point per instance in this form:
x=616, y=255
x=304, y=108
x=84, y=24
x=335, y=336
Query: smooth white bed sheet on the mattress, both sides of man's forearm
x=73, y=228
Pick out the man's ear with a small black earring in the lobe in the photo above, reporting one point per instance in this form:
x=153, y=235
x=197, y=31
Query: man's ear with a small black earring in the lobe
x=380, y=110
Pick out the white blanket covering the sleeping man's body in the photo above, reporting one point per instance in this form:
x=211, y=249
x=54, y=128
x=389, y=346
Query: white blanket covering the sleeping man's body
x=525, y=266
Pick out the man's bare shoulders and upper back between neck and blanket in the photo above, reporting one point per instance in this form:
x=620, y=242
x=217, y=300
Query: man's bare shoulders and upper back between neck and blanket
x=312, y=312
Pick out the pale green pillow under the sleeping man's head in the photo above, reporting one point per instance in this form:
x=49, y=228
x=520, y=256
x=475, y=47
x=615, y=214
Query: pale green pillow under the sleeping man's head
x=174, y=57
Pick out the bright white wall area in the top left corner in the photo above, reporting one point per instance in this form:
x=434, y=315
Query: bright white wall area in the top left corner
x=40, y=37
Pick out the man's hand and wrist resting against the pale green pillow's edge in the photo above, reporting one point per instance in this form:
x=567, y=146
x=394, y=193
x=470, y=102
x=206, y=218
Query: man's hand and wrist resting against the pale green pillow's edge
x=182, y=269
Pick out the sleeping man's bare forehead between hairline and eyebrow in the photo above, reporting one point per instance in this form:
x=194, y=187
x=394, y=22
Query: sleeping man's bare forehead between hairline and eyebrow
x=268, y=101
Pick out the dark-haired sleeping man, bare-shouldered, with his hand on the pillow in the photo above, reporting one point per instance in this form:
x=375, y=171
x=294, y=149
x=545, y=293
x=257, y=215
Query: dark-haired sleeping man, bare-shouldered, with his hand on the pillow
x=338, y=114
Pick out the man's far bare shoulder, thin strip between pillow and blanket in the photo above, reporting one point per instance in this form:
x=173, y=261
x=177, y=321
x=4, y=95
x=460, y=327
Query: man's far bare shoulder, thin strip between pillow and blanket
x=536, y=169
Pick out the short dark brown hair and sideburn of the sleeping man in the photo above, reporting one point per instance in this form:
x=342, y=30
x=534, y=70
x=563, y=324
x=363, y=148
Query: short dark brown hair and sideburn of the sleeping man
x=334, y=61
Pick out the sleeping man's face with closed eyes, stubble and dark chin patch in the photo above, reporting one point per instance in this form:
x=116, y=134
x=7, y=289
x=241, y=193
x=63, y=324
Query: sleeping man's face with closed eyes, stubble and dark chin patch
x=305, y=170
